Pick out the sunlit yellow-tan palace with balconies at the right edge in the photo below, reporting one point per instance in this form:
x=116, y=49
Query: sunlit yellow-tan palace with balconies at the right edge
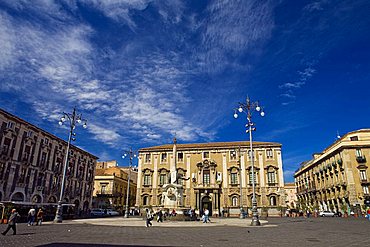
x=337, y=179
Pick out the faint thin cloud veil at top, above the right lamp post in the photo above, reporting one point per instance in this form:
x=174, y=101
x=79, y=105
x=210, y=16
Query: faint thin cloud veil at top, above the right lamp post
x=235, y=28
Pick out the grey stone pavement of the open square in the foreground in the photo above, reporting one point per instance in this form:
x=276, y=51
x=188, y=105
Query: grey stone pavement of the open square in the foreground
x=221, y=232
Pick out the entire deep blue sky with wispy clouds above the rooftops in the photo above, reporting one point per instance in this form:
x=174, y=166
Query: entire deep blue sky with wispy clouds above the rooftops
x=141, y=71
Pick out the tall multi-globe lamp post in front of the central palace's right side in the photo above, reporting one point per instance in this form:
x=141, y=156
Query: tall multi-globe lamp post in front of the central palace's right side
x=248, y=108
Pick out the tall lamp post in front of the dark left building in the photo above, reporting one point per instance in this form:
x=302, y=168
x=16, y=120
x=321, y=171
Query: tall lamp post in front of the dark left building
x=73, y=119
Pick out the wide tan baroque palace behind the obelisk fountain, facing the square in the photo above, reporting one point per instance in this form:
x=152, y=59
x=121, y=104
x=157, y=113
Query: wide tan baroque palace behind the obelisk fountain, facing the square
x=212, y=175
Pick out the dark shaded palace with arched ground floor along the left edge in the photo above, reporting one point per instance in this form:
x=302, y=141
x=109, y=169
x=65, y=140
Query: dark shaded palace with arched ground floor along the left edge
x=31, y=166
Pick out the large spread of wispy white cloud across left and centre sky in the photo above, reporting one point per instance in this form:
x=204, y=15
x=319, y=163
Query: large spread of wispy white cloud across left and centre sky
x=143, y=92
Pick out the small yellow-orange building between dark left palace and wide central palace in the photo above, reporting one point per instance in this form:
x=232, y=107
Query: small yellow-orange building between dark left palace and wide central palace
x=110, y=187
